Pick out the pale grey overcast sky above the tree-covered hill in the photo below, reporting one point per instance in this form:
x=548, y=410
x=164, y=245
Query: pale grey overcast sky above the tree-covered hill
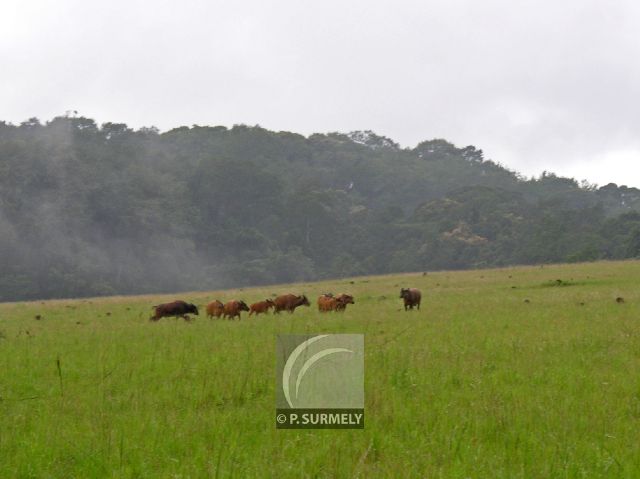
x=538, y=85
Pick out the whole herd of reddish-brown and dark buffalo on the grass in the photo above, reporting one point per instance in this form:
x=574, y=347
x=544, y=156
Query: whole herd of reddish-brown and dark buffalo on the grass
x=285, y=302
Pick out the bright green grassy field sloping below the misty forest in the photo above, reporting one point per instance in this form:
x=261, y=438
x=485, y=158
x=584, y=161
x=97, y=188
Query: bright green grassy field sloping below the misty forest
x=479, y=383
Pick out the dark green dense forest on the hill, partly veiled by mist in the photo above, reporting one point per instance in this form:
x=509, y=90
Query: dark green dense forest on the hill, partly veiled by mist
x=98, y=210
